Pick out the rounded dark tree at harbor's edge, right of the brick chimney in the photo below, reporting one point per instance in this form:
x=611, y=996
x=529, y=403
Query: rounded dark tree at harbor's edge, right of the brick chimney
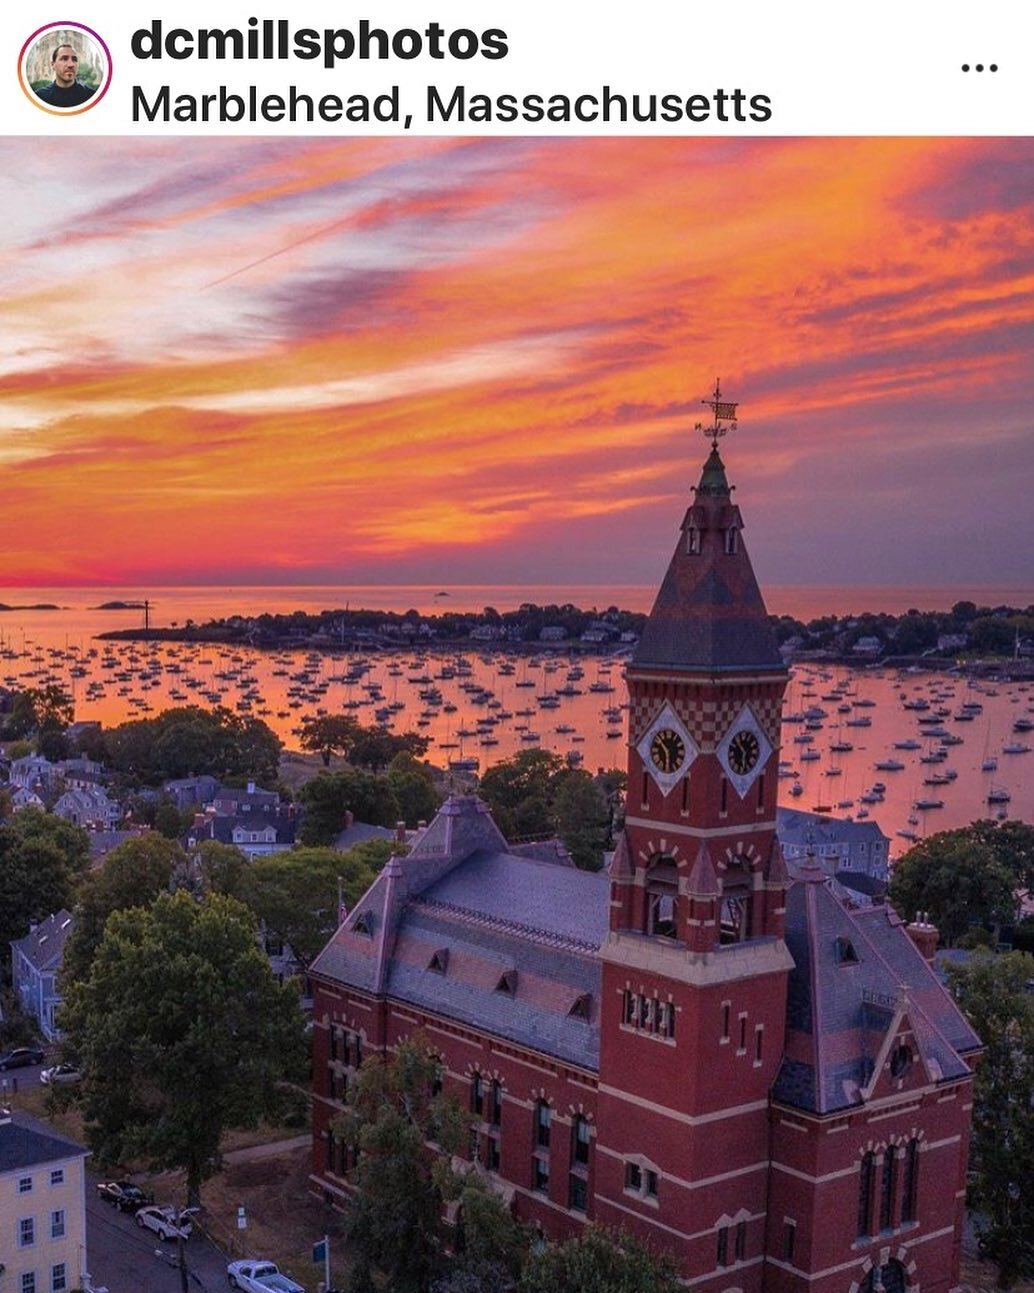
x=958, y=880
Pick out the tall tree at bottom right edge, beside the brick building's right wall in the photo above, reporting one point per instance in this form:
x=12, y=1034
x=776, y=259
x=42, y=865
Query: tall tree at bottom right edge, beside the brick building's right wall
x=993, y=991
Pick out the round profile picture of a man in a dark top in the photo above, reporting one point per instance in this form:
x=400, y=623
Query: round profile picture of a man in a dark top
x=65, y=68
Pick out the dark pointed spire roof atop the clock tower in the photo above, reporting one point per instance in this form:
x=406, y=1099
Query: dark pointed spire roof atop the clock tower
x=709, y=614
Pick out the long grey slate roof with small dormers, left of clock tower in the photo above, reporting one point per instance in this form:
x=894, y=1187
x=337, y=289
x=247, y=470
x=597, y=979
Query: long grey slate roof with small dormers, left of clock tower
x=441, y=929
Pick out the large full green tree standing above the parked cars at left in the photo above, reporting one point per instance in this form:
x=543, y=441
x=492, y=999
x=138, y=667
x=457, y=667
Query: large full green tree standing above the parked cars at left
x=183, y=1034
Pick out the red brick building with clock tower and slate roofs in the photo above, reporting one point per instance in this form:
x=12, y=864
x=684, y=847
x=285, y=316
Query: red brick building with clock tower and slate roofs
x=731, y=1065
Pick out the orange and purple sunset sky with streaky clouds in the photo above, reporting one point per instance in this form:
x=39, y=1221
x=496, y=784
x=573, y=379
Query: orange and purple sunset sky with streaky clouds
x=483, y=361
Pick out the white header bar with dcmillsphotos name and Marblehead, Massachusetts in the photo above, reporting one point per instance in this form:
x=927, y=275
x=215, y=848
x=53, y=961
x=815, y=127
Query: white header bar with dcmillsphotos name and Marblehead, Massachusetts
x=532, y=69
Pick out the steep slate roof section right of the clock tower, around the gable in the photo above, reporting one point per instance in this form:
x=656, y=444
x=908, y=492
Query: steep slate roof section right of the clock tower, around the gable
x=858, y=978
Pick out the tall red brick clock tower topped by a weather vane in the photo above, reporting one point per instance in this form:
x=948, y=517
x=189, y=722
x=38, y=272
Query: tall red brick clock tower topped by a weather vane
x=693, y=1009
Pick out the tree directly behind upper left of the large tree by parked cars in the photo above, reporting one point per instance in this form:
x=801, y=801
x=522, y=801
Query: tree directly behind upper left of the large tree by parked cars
x=132, y=875
